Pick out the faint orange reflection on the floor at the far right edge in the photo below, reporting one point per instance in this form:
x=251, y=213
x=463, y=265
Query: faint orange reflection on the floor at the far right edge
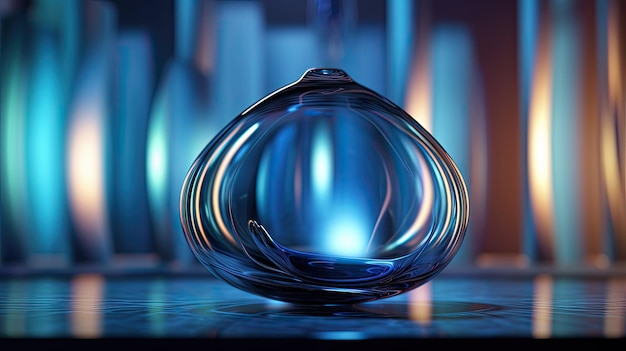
x=615, y=313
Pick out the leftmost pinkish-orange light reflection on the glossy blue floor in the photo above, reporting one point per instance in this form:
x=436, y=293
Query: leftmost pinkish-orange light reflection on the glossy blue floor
x=87, y=291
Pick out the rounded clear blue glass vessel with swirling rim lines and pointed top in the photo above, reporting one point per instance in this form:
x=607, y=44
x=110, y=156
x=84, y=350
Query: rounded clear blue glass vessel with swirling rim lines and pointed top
x=324, y=192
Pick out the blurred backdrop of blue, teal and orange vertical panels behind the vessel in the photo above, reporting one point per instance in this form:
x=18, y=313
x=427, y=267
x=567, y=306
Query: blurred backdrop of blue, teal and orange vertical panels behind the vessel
x=104, y=105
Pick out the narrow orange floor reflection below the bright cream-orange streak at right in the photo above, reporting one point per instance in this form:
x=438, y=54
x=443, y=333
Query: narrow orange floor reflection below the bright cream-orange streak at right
x=542, y=307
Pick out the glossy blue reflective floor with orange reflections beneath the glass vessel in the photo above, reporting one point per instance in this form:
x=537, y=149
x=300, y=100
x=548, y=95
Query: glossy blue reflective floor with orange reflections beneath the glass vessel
x=541, y=306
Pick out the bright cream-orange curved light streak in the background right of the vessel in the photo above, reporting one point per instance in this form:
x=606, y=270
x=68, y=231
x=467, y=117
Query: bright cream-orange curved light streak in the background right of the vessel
x=540, y=145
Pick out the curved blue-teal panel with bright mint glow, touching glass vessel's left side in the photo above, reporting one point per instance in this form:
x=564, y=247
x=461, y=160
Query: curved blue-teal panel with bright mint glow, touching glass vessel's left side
x=179, y=106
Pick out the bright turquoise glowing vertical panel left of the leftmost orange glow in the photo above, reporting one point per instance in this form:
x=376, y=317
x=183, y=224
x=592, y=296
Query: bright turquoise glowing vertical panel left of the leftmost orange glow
x=48, y=239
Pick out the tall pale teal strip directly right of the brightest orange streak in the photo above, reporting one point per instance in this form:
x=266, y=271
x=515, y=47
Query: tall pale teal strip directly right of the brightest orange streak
x=566, y=118
